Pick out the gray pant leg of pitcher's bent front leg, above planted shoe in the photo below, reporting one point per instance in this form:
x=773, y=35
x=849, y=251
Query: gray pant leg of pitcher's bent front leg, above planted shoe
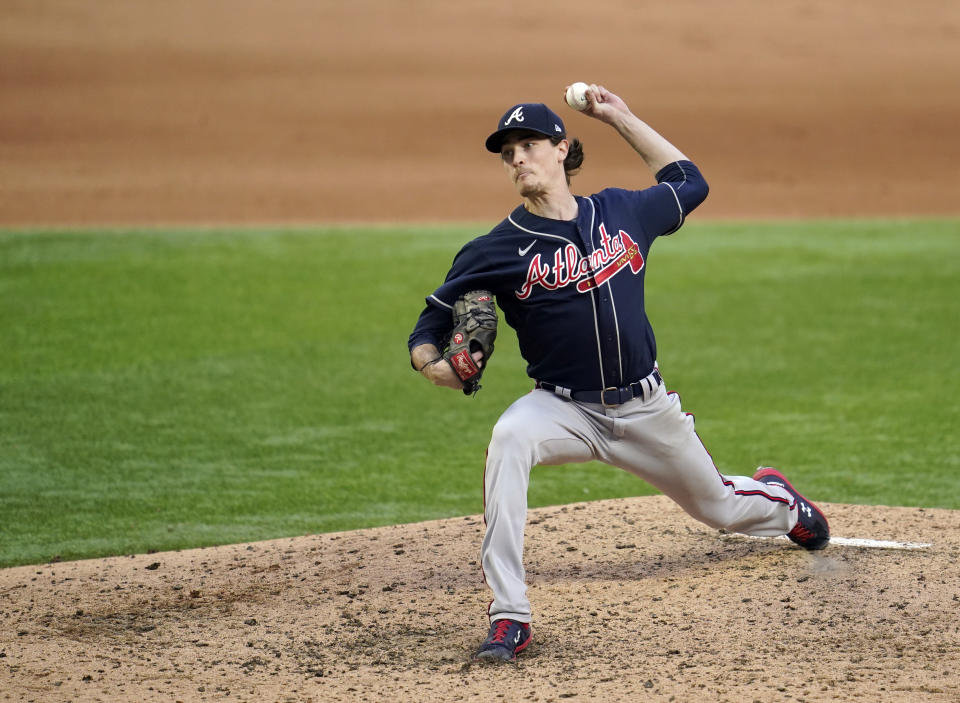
x=539, y=428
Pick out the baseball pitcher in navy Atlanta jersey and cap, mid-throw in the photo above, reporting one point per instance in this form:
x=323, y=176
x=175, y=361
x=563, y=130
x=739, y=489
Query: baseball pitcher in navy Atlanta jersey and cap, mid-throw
x=567, y=272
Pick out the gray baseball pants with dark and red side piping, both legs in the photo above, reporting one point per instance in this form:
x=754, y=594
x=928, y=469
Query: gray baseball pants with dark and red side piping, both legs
x=649, y=436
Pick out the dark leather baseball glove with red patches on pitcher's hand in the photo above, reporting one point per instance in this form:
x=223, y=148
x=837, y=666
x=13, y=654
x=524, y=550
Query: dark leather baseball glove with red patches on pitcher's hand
x=474, y=329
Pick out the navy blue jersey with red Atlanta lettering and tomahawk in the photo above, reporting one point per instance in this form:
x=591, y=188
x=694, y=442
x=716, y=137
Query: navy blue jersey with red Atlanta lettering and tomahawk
x=573, y=290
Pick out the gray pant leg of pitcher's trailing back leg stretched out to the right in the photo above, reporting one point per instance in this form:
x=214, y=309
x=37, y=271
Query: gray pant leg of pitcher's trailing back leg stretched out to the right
x=656, y=441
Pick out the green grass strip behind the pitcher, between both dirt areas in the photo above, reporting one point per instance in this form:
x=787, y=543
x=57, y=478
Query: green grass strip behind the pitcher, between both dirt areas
x=167, y=389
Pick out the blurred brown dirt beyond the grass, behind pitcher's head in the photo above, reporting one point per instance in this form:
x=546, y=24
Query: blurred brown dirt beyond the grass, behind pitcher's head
x=132, y=112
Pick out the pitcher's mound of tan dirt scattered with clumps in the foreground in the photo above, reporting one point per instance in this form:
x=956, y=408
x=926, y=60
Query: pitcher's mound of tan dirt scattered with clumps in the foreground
x=632, y=599
